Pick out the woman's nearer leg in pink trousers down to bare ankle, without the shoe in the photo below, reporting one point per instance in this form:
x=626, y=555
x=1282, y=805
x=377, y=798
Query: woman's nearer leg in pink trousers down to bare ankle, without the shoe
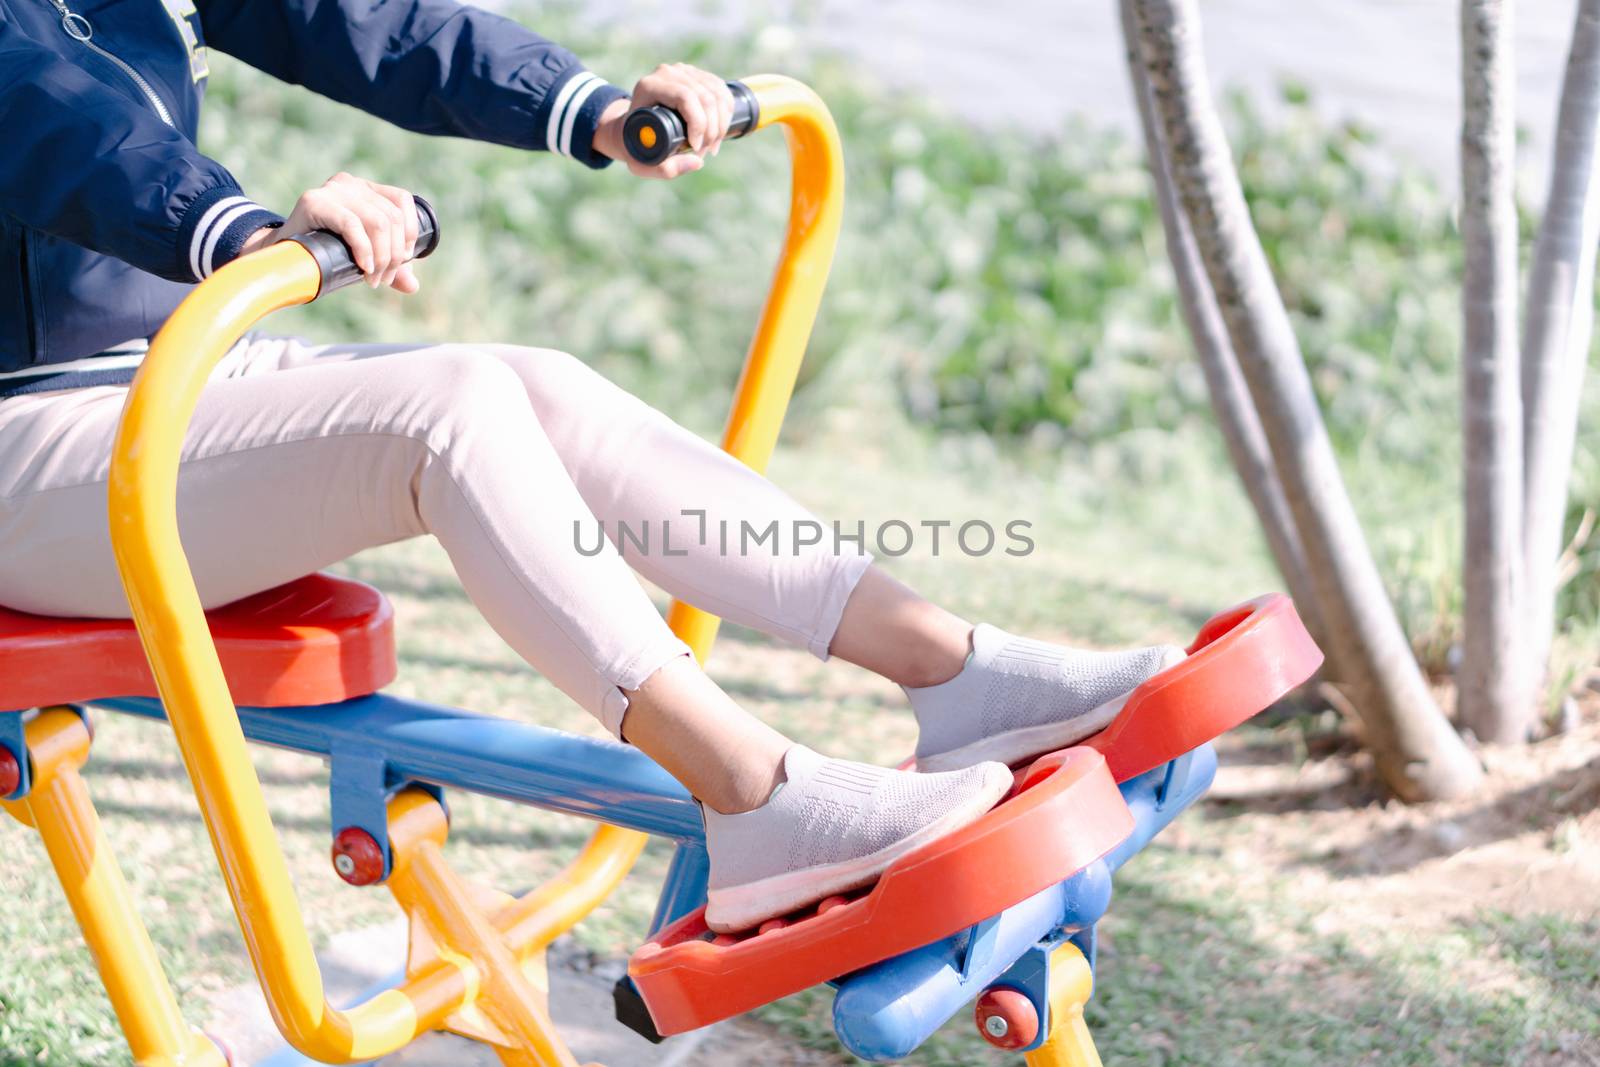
x=286, y=474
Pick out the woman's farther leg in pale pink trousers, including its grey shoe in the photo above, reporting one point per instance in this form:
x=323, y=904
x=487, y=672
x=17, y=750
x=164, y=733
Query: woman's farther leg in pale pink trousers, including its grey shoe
x=978, y=693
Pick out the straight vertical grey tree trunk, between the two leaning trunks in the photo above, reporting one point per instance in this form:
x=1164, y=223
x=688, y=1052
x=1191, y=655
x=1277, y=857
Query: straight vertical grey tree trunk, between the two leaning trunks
x=1495, y=700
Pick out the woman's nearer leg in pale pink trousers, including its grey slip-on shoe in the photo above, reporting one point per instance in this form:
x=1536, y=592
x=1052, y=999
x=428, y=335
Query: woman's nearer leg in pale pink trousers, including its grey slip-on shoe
x=287, y=473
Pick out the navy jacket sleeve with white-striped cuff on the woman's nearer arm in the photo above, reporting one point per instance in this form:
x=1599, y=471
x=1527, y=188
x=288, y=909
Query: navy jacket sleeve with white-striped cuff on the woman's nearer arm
x=89, y=164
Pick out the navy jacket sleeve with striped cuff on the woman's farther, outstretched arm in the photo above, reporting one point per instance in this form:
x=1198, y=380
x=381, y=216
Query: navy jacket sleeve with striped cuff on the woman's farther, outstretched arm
x=431, y=66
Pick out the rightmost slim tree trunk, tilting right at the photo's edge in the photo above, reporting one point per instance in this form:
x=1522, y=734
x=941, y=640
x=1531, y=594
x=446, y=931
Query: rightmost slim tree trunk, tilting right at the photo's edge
x=1558, y=330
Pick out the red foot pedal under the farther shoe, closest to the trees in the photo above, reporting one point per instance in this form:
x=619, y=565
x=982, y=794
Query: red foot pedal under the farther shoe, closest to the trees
x=1244, y=661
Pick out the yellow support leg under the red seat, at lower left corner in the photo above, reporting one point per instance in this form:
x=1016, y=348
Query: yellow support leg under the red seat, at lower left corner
x=60, y=809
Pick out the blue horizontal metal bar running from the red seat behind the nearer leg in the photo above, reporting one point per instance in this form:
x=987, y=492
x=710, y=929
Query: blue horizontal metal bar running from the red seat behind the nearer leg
x=481, y=754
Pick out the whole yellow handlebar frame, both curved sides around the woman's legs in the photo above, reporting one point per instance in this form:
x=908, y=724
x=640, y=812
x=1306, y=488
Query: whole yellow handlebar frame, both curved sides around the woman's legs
x=190, y=676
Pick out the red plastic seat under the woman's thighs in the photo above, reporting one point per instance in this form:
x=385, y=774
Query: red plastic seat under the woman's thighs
x=316, y=641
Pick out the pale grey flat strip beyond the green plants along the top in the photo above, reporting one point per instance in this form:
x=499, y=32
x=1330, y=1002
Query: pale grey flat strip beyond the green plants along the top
x=1390, y=63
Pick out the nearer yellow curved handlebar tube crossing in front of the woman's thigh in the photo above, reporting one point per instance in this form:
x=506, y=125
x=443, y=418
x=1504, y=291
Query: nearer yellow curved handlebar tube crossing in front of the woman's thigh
x=177, y=641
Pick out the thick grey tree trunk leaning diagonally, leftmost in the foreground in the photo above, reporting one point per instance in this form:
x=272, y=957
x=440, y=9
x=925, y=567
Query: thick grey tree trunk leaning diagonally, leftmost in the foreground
x=1417, y=751
